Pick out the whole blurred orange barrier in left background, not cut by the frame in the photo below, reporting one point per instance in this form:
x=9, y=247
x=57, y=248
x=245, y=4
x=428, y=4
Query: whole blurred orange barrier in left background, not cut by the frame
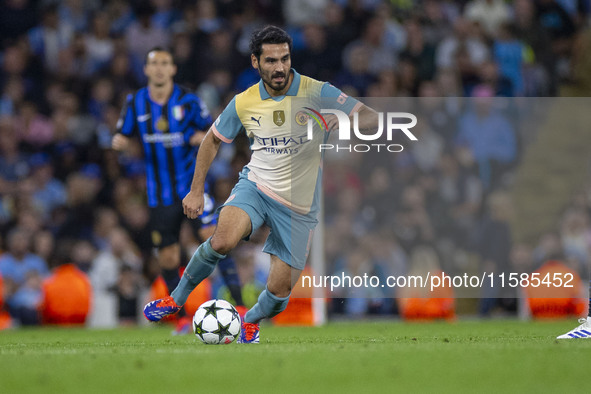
x=67, y=296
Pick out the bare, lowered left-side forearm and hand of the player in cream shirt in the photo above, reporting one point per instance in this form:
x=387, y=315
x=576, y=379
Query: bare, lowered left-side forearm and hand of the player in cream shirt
x=193, y=201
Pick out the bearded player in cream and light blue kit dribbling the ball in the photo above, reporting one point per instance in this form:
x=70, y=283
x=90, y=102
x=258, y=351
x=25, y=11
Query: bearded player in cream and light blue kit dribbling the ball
x=279, y=186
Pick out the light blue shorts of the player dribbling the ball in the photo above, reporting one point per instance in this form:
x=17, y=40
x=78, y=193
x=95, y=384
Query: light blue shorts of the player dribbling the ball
x=291, y=233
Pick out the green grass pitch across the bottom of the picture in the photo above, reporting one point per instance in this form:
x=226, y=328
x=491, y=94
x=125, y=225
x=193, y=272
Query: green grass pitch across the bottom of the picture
x=382, y=357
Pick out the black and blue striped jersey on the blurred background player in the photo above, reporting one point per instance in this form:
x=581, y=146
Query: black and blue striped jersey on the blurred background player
x=165, y=131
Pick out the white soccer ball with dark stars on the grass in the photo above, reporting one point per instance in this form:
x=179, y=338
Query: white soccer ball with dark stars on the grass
x=216, y=322
